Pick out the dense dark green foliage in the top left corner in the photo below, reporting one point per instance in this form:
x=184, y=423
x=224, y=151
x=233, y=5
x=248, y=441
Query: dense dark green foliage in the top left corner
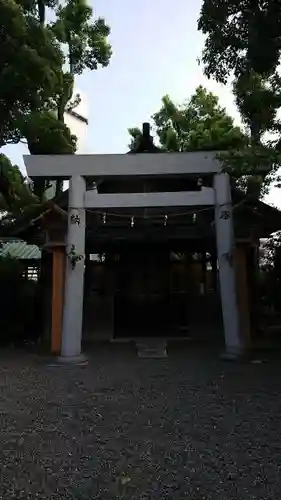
x=31, y=62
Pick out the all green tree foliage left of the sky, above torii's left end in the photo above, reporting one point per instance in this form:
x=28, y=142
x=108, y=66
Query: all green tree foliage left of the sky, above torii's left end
x=35, y=89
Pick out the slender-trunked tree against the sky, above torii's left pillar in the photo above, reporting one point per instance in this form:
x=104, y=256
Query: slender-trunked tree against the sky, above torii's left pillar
x=85, y=45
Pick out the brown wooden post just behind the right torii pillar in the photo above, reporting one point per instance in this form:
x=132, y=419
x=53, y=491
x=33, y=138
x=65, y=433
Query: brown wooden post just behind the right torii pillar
x=242, y=293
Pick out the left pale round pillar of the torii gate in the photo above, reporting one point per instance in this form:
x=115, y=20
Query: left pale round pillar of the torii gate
x=74, y=274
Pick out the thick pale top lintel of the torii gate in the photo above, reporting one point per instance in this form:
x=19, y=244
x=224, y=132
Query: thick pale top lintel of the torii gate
x=121, y=165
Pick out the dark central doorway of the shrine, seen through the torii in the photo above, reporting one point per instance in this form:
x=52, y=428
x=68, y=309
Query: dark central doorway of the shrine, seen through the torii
x=142, y=293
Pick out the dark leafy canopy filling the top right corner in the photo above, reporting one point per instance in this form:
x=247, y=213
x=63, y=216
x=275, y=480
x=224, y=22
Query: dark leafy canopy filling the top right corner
x=240, y=37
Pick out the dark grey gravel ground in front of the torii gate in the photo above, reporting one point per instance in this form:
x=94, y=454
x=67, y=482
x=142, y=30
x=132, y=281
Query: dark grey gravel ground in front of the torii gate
x=189, y=426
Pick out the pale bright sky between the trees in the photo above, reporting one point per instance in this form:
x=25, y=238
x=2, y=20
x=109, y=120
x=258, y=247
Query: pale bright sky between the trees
x=155, y=50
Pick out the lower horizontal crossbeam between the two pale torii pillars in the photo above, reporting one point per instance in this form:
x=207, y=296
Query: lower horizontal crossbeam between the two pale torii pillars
x=149, y=200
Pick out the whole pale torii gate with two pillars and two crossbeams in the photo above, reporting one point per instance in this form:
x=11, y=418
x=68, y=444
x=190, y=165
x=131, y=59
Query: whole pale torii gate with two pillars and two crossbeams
x=76, y=168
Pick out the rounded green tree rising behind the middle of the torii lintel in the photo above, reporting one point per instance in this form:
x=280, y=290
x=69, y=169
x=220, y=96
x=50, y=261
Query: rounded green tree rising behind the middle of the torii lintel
x=200, y=124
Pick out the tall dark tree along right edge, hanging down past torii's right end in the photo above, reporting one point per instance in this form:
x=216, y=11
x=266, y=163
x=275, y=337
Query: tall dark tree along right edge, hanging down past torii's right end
x=243, y=40
